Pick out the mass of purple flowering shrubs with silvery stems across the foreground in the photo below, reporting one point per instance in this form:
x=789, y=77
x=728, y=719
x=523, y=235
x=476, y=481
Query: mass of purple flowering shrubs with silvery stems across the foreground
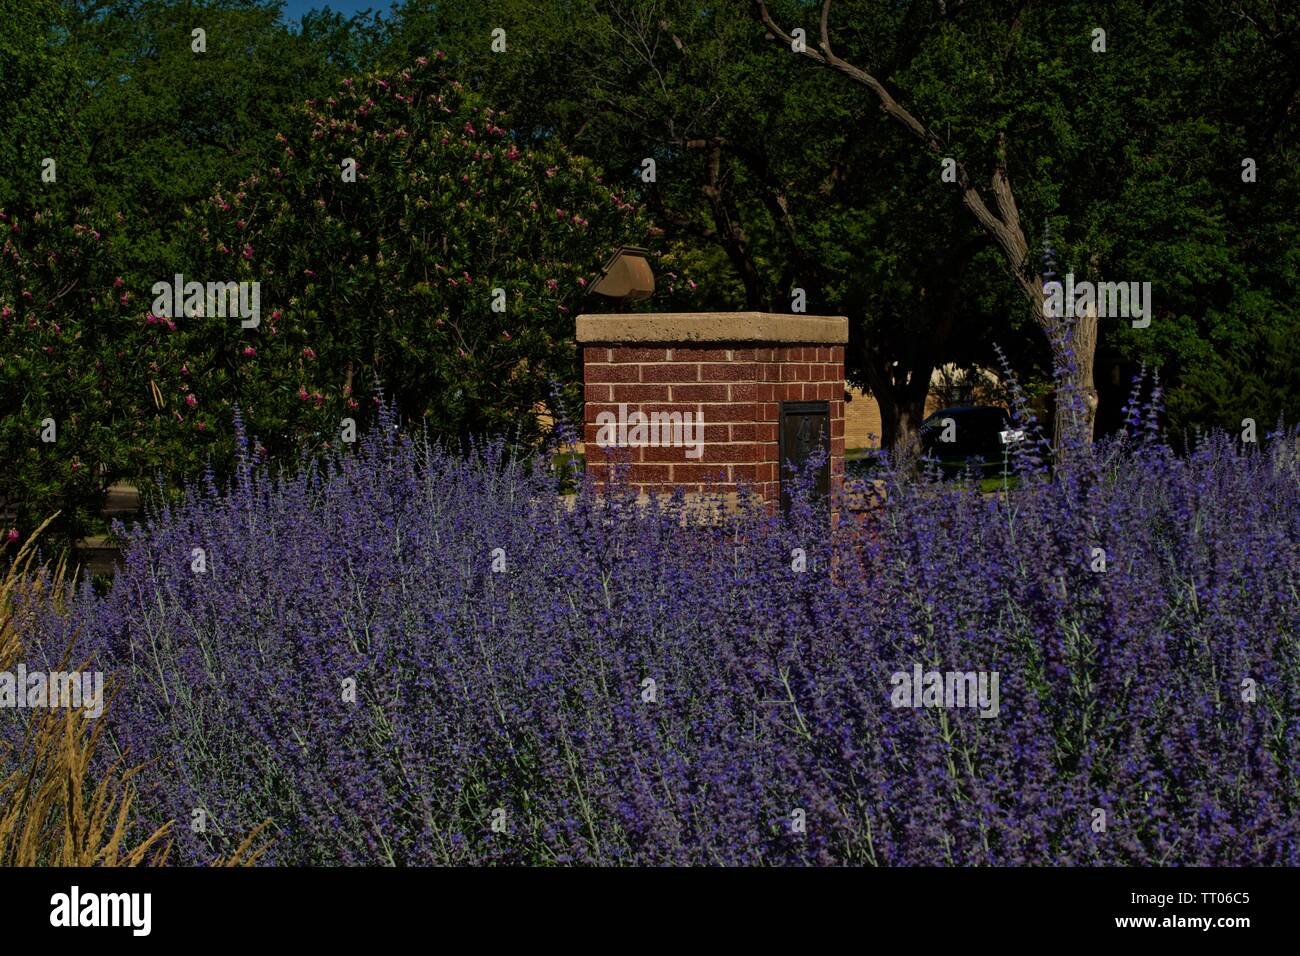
x=661, y=686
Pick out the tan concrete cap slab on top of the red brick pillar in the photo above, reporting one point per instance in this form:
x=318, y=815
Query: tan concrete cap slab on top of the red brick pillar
x=713, y=327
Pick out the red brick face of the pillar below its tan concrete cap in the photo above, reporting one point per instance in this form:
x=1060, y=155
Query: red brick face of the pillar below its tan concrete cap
x=738, y=390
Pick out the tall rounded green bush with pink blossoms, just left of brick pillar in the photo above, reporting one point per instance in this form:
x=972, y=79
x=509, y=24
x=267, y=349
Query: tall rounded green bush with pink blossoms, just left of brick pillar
x=388, y=282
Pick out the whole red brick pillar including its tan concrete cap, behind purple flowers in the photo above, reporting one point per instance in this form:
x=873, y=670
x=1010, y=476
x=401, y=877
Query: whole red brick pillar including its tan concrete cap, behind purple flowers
x=735, y=370
